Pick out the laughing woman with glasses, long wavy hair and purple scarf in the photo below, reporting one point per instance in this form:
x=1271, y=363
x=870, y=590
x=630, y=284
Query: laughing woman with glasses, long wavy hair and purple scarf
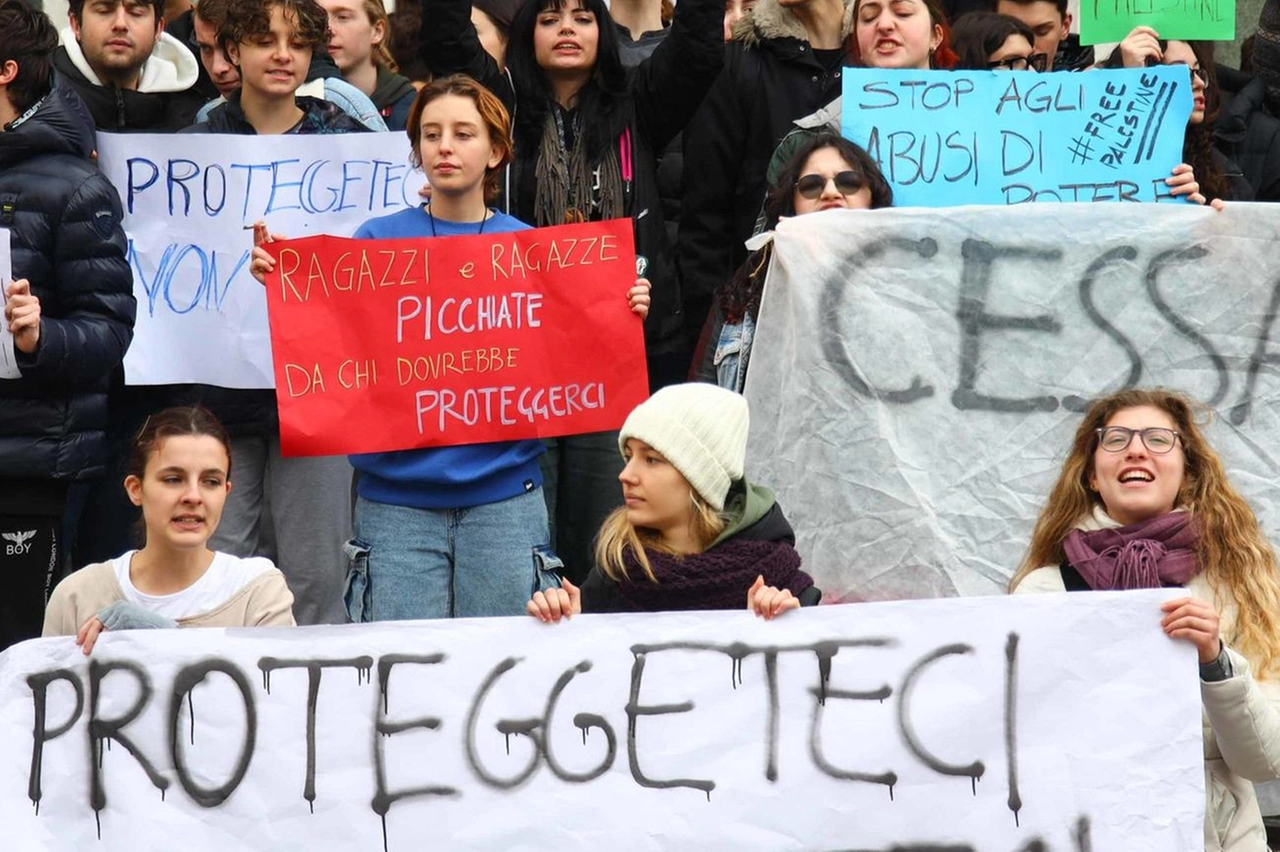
x=1144, y=502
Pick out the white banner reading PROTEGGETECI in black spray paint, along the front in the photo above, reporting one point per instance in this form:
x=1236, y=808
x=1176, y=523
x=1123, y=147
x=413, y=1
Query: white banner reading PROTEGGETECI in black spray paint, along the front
x=1054, y=723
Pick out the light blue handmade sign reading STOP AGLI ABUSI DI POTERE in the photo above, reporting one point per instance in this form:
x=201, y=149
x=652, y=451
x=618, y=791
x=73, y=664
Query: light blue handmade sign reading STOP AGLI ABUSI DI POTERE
x=948, y=139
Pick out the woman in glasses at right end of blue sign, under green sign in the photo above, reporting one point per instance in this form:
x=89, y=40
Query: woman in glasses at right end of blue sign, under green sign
x=1220, y=180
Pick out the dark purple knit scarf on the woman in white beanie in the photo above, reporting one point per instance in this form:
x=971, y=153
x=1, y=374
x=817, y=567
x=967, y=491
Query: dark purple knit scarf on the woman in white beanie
x=717, y=579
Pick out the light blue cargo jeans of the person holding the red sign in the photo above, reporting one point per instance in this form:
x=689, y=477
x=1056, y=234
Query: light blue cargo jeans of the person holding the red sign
x=409, y=564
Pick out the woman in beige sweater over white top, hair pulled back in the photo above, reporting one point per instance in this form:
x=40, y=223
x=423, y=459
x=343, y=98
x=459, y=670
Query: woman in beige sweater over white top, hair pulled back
x=180, y=475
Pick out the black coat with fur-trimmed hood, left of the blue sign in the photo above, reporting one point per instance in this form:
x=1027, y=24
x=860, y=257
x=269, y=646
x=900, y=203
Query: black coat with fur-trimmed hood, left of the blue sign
x=771, y=79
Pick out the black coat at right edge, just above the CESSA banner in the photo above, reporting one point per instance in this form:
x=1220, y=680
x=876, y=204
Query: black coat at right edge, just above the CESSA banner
x=1247, y=134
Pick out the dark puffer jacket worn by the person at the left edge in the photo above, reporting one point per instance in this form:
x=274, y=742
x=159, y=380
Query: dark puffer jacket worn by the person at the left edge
x=67, y=240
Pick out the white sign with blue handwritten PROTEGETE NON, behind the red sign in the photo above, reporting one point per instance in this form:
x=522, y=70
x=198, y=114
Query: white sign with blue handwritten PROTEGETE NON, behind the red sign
x=188, y=203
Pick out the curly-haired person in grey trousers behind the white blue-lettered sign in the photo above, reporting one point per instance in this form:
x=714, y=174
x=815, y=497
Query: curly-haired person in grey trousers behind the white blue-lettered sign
x=300, y=505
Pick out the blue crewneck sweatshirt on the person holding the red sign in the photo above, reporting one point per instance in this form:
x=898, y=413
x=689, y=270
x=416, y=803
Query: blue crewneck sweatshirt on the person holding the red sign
x=446, y=478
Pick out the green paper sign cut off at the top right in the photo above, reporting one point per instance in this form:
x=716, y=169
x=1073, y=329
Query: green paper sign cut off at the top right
x=1113, y=20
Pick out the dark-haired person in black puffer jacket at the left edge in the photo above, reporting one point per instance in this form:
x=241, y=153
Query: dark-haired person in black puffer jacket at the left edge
x=70, y=309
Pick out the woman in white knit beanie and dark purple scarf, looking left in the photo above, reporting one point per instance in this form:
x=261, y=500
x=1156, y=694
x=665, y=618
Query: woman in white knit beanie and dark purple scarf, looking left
x=693, y=533
